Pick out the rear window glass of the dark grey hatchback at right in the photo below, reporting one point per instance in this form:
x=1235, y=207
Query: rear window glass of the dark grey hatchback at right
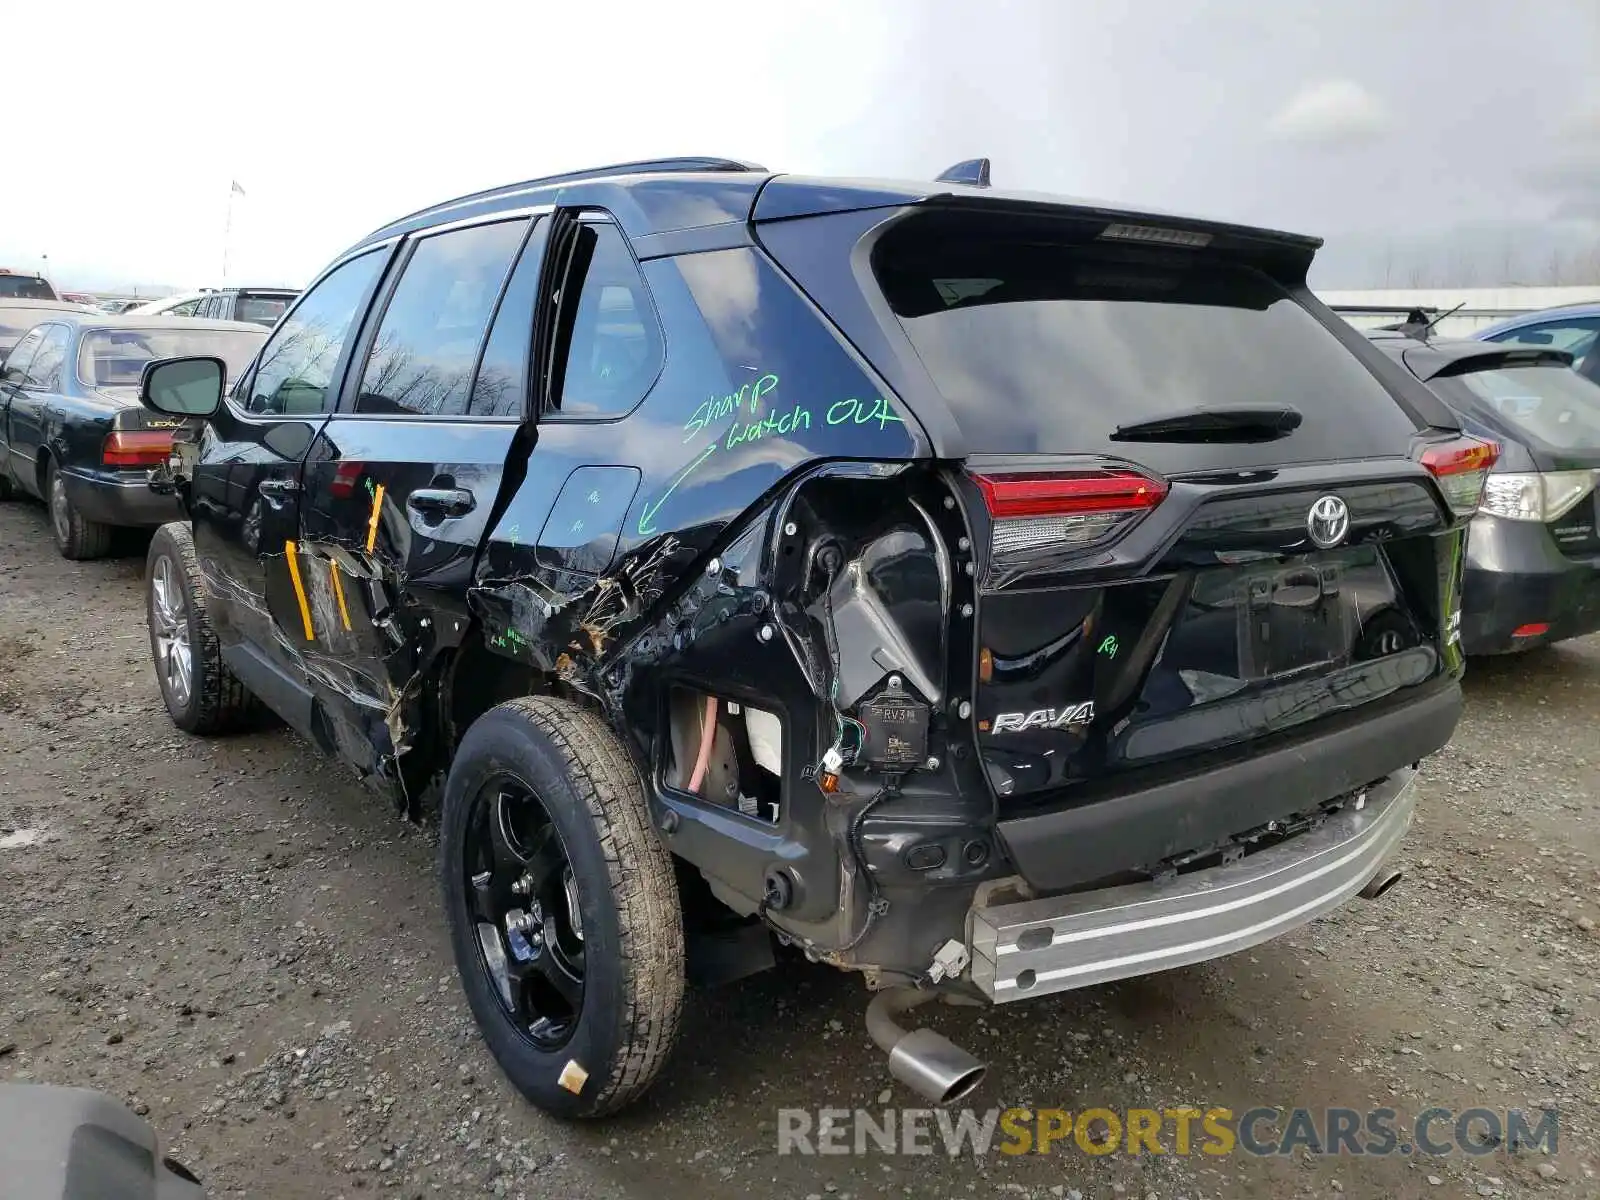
x=1546, y=402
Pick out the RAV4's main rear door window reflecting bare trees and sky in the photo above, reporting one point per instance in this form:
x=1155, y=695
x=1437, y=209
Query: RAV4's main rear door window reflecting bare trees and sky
x=430, y=338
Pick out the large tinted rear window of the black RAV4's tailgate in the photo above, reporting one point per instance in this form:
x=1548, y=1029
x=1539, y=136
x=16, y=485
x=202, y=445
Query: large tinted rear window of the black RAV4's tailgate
x=1047, y=348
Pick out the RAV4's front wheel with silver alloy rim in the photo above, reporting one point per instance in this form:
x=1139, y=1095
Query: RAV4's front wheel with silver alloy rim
x=201, y=694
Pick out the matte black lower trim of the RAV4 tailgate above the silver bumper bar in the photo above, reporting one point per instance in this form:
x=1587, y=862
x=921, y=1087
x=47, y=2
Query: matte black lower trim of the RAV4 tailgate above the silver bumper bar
x=1070, y=847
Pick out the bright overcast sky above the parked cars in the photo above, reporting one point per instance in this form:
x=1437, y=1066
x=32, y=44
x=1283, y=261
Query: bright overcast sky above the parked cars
x=1423, y=138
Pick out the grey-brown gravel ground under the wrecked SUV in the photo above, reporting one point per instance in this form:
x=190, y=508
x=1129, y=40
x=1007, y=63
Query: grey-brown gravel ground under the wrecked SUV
x=246, y=946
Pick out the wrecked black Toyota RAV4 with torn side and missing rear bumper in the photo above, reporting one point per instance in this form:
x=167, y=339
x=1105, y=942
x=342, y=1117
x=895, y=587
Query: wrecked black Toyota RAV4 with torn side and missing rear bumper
x=985, y=593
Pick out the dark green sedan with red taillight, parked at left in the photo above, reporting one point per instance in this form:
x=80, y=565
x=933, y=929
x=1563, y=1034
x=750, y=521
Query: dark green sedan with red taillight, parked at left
x=71, y=426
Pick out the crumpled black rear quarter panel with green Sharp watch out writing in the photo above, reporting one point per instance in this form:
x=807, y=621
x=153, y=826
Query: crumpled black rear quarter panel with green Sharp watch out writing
x=756, y=388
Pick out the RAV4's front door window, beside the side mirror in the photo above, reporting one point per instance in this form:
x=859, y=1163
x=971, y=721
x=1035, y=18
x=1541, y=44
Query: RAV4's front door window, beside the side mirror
x=295, y=369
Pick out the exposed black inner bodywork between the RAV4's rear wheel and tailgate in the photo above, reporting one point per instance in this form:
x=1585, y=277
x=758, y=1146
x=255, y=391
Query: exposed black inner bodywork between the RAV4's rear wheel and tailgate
x=766, y=626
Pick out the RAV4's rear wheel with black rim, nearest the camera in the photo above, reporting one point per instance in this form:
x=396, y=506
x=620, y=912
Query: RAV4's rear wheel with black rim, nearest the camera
x=562, y=905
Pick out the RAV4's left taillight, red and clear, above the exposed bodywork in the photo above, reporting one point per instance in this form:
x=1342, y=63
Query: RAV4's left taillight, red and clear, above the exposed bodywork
x=1046, y=513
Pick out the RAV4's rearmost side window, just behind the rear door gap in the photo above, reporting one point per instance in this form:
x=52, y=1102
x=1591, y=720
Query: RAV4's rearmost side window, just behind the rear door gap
x=614, y=338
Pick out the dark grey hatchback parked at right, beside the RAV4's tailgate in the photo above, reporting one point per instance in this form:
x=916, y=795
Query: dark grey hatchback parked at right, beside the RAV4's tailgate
x=1534, y=551
